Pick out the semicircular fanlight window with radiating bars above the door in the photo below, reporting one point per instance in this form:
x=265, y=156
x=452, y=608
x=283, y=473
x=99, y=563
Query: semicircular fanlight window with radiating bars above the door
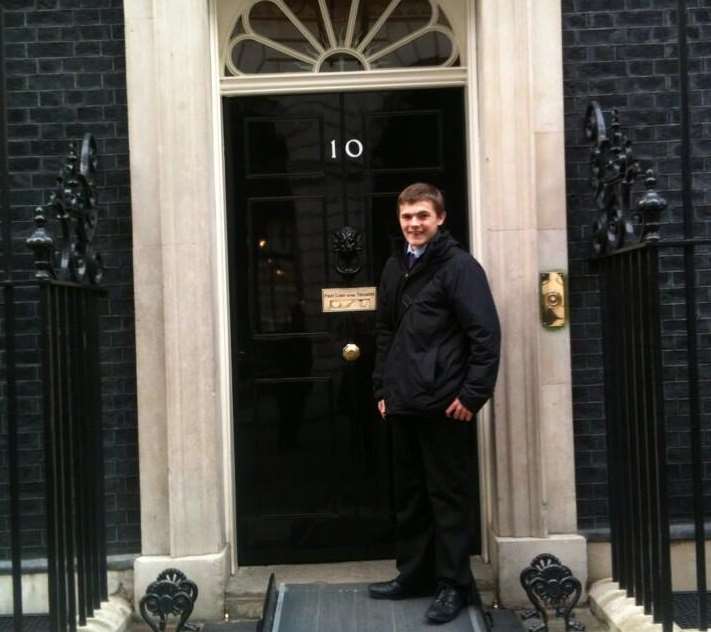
x=281, y=36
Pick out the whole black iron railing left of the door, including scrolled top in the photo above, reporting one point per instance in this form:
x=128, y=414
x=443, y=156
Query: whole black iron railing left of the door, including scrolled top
x=51, y=386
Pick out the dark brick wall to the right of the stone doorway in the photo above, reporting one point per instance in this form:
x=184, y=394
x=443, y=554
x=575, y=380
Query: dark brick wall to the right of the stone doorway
x=624, y=54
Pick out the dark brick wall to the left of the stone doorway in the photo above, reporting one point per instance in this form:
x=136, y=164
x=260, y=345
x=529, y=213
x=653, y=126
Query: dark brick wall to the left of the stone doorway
x=65, y=76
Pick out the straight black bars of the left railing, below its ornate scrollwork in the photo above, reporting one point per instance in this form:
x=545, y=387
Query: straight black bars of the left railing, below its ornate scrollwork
x=68, y=364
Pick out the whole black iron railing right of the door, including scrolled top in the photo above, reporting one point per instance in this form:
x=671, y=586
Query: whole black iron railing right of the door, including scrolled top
x=626, y=244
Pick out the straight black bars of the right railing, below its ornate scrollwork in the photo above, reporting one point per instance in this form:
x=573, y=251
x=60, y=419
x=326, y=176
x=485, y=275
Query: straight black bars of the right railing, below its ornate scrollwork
x=636, y=437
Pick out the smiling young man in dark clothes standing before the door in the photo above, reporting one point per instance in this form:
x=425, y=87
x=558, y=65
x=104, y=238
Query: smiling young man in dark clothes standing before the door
x=437, y=357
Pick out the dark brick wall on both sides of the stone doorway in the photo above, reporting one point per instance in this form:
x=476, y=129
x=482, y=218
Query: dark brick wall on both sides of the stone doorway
x=64, y=64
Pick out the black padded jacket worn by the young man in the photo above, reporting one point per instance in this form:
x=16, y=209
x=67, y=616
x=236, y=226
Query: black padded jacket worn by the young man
x=437, y=332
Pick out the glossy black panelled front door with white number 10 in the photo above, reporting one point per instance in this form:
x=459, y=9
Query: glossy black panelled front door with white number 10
x=312, y=456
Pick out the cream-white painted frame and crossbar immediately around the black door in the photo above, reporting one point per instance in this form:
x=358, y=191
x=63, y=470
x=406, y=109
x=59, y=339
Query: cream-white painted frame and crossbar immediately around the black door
x=460, y=76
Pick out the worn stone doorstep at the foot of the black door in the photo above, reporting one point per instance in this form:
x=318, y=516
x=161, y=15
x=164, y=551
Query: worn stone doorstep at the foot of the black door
x=244, y=595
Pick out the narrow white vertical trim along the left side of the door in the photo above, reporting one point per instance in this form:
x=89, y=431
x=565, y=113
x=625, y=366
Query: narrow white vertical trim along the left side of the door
x=222, y=300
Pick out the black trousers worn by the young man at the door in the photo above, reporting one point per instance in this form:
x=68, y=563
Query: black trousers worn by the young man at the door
x=433, y=471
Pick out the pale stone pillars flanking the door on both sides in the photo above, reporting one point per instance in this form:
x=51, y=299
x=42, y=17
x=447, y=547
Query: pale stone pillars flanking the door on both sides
x=517, y=179
